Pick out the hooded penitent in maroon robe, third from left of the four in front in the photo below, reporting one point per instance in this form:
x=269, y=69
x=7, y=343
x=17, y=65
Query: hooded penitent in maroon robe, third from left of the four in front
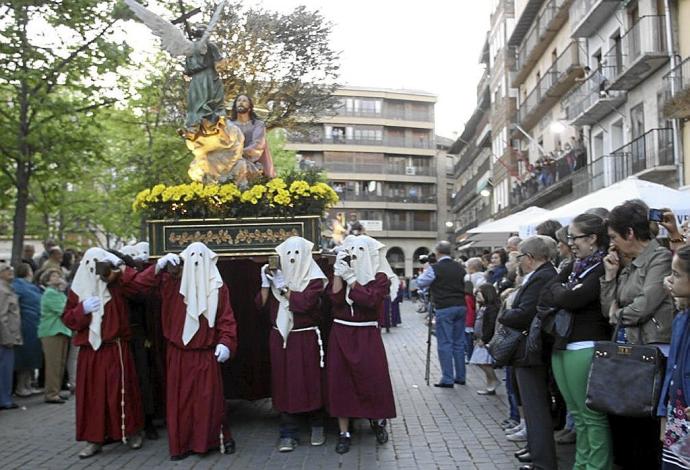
x=292, y=293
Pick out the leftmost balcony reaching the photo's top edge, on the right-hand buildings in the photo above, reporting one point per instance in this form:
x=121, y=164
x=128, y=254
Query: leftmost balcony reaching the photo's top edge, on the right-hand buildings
x=544, y=28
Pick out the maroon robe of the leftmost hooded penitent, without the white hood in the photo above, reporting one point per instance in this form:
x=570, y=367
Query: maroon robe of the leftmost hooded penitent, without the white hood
x=99, y=373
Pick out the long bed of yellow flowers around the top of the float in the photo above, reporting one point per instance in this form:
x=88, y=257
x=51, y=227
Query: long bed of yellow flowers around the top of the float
x=276, y=197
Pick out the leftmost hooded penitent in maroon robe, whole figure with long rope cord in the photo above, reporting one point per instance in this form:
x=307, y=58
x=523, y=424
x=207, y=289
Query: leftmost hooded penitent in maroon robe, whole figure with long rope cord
x=108, y=399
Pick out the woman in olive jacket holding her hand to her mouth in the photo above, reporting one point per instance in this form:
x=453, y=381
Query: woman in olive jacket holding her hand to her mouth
x=632, y=295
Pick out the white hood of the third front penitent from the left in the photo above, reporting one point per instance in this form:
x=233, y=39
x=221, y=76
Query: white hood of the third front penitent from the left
x=298, y=268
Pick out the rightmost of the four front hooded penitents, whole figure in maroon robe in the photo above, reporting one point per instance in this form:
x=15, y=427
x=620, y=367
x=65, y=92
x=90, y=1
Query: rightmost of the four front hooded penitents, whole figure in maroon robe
x=359, y=384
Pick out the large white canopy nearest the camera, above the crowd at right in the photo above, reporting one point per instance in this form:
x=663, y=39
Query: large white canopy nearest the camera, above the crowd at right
x=655, y=195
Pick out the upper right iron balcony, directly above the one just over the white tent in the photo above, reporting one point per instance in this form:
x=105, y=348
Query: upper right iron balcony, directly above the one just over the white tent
x=640, y=52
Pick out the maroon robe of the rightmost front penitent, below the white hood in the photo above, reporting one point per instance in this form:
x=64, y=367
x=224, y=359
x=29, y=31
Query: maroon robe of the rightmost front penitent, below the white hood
x=358, y=382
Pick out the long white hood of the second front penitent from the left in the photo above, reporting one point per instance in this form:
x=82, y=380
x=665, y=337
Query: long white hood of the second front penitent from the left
x=199, y=287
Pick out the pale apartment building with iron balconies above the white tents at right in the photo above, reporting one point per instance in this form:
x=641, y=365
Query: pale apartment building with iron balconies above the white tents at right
x=598, y=99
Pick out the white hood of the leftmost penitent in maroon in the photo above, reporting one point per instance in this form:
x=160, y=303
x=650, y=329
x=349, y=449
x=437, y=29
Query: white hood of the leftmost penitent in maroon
x=88, y=283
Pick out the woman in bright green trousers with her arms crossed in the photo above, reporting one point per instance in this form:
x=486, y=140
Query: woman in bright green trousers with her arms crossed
x=577, y=292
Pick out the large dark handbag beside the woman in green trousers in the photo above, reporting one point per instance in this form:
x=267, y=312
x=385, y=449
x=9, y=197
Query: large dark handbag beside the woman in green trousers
x=625, y=379
